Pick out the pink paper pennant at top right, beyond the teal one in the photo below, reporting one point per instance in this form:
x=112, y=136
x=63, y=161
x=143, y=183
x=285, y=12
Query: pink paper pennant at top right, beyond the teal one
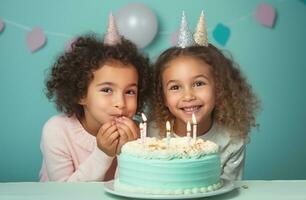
x=265, y=14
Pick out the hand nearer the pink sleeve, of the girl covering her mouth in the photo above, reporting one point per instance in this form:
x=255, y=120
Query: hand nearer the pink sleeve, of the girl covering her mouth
x=108, y=138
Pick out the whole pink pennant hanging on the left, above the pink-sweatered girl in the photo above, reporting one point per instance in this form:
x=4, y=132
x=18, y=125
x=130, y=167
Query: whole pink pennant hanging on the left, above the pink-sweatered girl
x=36, y=39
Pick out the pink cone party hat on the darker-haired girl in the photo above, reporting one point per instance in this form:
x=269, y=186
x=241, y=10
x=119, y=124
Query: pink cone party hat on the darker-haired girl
x=112, y=36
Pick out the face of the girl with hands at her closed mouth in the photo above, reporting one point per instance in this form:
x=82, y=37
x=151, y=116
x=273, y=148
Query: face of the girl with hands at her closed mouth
x=112, y=93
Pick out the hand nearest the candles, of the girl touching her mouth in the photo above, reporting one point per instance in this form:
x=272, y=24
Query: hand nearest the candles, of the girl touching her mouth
x=128, y=131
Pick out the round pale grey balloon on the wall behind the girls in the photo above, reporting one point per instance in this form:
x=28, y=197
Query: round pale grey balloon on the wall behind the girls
x=137, y=23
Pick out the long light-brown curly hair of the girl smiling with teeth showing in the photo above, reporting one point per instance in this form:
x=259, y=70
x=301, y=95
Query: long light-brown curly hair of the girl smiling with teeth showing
x=236, y=104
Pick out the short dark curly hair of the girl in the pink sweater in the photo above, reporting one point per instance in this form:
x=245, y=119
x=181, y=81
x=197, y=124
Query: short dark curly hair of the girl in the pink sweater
x=72, y=72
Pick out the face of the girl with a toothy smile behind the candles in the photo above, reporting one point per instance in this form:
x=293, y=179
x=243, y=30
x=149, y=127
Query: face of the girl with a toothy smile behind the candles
x=188, y=87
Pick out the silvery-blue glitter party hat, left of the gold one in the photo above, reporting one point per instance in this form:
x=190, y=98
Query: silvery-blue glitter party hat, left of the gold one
x=185, y=38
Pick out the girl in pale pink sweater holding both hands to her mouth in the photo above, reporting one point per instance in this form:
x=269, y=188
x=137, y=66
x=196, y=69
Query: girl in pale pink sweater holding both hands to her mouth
x=99, y=87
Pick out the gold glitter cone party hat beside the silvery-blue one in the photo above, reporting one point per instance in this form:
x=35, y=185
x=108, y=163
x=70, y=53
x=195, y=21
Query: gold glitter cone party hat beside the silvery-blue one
x=200, y=35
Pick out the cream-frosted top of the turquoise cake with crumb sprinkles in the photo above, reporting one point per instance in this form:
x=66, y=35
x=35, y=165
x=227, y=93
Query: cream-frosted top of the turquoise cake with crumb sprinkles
x=174, y=148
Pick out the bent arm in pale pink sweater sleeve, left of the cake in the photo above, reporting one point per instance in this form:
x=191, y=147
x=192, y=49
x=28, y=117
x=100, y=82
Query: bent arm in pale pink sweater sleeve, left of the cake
x=60, y=157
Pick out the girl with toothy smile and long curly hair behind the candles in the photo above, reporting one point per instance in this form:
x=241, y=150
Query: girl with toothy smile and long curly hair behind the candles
x=199, y=79
